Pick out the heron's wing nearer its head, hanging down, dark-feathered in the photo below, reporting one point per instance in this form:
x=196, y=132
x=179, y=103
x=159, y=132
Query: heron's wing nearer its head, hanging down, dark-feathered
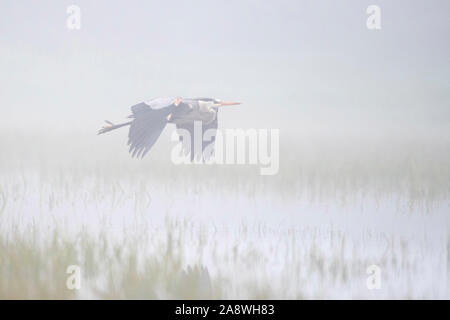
x=189, y=146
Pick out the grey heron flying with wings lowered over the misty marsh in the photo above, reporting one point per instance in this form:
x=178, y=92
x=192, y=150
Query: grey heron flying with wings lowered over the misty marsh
x=151, y=117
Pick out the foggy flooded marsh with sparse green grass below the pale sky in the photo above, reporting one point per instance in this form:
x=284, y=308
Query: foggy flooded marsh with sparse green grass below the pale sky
x=149, y=229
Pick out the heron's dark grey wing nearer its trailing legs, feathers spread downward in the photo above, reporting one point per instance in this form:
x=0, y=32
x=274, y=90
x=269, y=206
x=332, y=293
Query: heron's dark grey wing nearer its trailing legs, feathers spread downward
x=147, y=126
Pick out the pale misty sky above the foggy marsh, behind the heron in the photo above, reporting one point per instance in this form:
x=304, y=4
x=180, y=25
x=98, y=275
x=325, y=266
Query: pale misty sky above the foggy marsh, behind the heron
x=294, y=64
